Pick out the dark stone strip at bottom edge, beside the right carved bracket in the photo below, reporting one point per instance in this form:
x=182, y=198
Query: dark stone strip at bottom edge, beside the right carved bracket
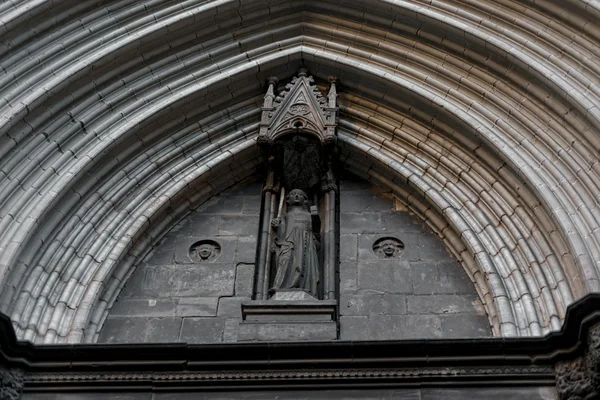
x=491, y=393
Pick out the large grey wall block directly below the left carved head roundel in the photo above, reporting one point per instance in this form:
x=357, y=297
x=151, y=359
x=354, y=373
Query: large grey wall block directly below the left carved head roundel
x=203, y=280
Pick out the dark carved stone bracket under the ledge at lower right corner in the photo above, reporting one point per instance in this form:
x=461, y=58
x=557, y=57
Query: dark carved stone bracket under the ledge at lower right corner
x=579, y=379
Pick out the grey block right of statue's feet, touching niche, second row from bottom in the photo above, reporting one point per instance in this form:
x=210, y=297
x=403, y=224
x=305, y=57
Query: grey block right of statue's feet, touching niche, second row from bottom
x=372, y=304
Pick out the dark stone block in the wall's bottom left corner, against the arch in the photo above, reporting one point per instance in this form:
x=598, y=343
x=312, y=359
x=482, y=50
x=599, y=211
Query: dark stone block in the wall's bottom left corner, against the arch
x=140, y=330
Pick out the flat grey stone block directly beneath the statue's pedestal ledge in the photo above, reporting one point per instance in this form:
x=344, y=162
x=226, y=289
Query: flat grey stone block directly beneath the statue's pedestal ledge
x=290, y=331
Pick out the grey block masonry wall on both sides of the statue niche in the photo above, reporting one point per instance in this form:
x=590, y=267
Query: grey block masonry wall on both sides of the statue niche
x=424, y=293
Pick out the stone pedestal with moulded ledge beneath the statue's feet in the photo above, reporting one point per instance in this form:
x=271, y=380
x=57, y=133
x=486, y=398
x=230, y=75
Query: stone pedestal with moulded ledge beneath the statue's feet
x=288, y=316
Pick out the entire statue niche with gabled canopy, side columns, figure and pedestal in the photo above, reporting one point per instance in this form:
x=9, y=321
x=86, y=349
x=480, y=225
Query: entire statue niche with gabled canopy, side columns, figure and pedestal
x=296, y=262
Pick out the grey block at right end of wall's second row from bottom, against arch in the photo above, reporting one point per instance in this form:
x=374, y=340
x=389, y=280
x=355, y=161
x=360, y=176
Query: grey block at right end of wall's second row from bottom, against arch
x=445, y=304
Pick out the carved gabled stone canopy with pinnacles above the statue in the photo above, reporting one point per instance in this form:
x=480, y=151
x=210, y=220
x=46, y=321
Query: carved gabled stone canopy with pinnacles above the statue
x=300, y=108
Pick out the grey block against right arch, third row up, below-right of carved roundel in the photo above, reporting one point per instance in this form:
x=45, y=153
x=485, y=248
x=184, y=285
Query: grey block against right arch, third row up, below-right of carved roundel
x=440, y=278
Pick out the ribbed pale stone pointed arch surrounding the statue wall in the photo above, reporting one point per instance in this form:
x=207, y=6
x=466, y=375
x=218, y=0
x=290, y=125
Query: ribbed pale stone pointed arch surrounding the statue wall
x=118, y=119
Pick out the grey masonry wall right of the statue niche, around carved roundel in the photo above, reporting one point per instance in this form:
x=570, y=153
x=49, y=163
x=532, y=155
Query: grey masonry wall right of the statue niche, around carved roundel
x=424, y=293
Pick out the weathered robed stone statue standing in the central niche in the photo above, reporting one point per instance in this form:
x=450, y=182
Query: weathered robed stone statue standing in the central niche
x=296, y=247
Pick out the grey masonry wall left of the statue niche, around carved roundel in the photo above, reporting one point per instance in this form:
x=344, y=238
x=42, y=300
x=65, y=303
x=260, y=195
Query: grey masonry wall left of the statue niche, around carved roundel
x=172, y=298
